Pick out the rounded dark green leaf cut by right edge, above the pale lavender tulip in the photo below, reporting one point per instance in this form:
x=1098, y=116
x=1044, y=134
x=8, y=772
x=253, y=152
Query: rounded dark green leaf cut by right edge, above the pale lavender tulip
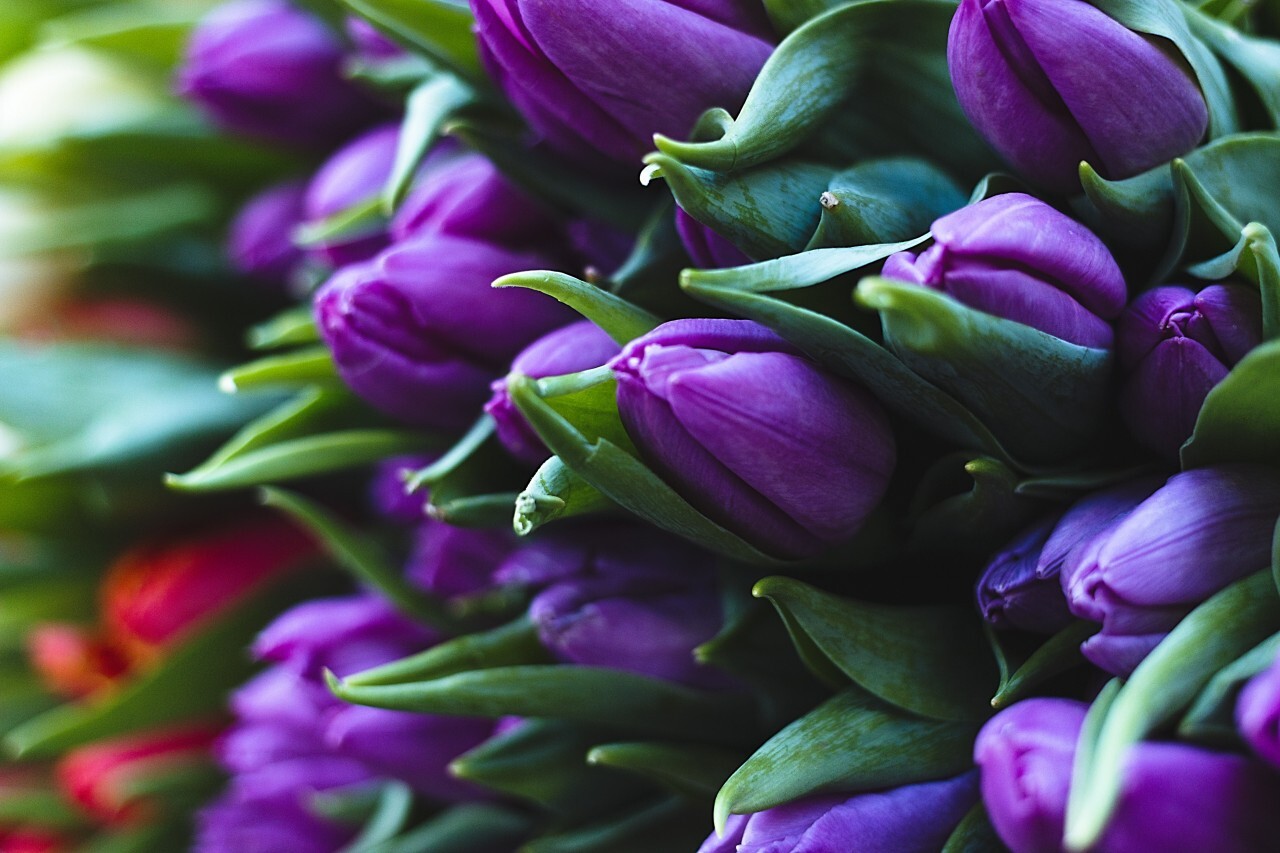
x=1241, y=417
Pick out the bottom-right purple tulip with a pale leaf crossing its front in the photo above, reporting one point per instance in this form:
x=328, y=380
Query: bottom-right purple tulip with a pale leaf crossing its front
x=1173, y=797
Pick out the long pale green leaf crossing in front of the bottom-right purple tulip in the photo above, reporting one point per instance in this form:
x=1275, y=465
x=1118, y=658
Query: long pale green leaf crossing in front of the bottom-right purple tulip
x=1209, y=638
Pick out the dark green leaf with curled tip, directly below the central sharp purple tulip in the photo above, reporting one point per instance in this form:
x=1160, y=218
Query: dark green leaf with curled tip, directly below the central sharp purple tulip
x=932, y=662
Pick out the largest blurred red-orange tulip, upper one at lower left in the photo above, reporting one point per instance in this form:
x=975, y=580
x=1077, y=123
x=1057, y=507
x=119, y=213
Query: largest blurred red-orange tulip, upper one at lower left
x=159, y=594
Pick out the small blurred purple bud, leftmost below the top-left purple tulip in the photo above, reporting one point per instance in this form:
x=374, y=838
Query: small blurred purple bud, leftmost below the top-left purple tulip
x=262, y=236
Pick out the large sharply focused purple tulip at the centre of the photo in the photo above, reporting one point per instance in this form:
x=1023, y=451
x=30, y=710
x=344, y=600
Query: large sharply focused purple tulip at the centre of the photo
x=756, y=437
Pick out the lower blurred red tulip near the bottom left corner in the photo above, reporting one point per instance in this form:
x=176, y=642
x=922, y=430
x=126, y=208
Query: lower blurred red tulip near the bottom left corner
x=103, y=777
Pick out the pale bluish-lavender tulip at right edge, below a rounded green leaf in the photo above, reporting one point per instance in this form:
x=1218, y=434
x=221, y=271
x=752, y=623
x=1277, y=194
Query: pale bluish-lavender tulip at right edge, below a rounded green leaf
x=1200, y=532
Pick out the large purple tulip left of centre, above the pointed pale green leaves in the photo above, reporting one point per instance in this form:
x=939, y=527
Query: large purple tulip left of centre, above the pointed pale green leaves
x=419, y=332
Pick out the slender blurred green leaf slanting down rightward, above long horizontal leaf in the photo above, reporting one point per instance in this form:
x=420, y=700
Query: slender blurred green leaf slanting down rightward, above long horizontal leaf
x=362, y=558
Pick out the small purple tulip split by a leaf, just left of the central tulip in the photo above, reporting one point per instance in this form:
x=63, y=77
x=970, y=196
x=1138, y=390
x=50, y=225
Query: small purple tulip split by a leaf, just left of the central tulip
x=574, y=348
